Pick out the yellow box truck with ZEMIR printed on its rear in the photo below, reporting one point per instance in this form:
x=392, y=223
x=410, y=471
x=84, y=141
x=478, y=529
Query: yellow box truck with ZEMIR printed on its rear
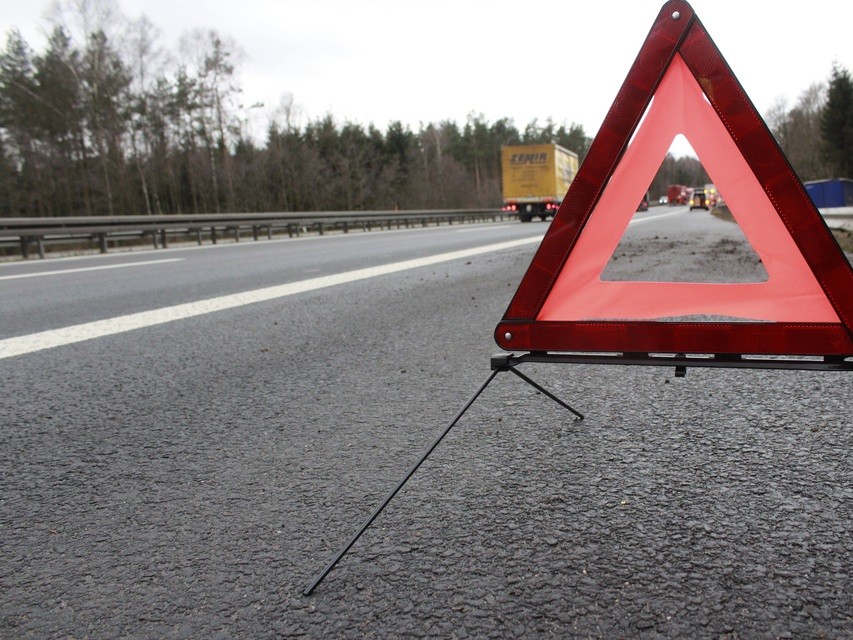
x=535, y=178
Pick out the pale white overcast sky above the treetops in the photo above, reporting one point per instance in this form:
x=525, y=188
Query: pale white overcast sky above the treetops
x=373, y=61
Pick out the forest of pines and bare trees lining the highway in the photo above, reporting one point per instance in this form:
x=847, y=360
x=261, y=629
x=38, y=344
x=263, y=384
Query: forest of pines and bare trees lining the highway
x=104, y=121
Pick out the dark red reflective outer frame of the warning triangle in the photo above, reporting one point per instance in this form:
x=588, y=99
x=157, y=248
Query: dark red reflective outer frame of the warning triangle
x=677, y=30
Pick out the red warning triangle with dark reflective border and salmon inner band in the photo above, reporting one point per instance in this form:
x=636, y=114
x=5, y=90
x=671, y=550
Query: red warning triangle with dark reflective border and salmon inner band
x=806, y=305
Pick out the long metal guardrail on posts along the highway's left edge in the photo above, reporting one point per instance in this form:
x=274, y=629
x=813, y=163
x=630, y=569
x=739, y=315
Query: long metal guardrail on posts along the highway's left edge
x=26, y=233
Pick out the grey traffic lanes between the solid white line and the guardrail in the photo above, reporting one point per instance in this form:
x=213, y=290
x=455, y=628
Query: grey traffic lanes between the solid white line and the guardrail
x=39, y=296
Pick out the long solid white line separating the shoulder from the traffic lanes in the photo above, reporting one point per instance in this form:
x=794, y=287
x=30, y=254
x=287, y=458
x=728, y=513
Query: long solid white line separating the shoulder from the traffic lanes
x=87, y=331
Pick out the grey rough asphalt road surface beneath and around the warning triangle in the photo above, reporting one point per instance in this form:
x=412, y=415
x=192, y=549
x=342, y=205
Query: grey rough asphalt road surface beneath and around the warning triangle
x=189, y=478
